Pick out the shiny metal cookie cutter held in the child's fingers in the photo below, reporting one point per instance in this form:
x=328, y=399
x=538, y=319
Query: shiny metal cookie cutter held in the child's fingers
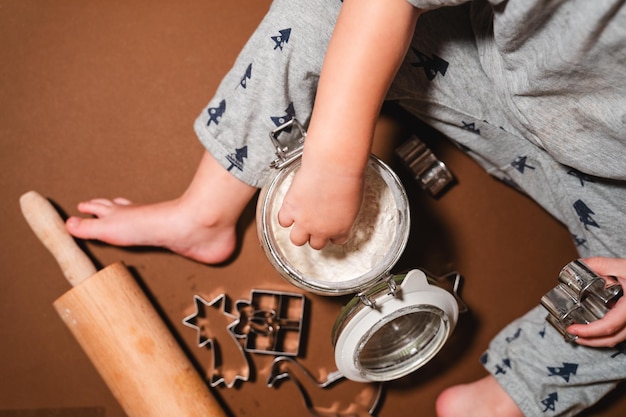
x=581, y=297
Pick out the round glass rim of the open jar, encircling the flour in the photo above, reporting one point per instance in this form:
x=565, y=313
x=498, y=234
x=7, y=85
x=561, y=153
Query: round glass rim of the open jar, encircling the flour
x=267, y=198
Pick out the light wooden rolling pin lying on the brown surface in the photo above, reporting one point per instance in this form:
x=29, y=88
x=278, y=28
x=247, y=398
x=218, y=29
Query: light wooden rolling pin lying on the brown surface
x=119, y=330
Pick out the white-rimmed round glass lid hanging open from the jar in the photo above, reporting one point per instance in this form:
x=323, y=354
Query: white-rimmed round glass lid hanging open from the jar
x=383, y=335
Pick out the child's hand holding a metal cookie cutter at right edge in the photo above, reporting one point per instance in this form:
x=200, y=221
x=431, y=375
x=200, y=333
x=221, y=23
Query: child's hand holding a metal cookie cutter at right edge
x=611, y=329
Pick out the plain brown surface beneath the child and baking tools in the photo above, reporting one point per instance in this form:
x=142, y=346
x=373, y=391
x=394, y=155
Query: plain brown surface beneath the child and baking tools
x=97, y=99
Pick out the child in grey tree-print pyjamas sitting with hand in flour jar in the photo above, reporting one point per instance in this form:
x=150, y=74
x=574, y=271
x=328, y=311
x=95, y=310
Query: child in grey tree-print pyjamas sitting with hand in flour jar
x=534, y=92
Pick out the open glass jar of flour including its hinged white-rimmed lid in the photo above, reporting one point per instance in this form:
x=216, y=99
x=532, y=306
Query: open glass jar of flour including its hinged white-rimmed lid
x=395, y=323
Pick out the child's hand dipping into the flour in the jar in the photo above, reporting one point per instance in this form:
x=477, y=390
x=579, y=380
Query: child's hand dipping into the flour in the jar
x=321, y=204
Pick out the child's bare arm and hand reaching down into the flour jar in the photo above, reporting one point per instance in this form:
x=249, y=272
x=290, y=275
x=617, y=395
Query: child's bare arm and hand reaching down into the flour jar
x=368, y=45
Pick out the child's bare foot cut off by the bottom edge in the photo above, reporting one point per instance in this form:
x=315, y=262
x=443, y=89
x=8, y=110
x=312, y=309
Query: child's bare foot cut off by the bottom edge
x=482, y=398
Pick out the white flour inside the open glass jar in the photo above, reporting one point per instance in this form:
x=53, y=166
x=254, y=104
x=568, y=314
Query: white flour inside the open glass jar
x=372, y=236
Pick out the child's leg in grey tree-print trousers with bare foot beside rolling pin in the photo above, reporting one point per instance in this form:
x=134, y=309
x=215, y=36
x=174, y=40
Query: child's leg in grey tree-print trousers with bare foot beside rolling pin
x=273, y=79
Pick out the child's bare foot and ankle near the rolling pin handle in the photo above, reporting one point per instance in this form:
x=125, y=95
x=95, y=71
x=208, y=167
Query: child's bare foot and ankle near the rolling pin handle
x=200, y=224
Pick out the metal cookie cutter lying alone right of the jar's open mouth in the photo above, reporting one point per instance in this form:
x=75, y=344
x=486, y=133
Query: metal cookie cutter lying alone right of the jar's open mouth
x=431, y=173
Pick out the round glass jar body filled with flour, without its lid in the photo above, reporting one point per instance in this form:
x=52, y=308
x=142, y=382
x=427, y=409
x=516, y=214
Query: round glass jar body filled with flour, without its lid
x=339, y=269
